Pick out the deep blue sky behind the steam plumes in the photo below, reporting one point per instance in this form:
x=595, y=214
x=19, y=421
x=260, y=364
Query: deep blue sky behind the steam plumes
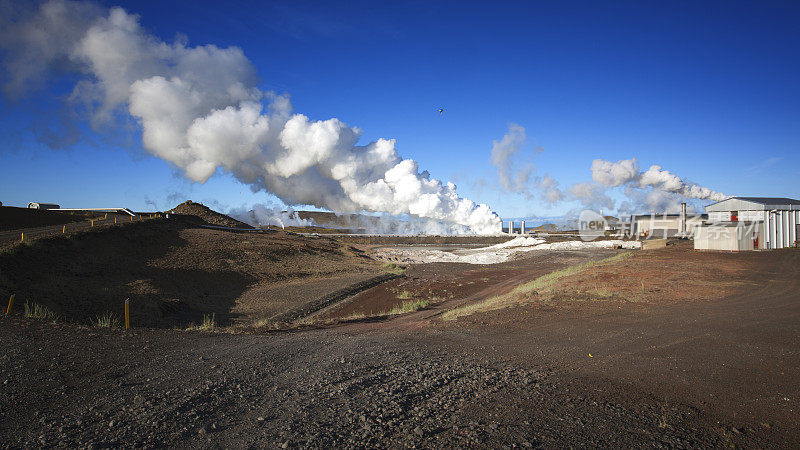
x=707, y=90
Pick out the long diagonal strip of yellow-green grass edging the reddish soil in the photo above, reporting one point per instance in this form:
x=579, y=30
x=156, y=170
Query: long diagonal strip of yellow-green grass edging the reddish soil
x=542, y=285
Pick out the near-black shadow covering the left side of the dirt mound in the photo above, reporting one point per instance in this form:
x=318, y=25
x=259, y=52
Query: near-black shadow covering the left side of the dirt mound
x=84, y=276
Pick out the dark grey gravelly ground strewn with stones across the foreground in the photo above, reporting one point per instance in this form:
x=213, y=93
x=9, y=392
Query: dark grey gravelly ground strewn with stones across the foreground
x=82, y=388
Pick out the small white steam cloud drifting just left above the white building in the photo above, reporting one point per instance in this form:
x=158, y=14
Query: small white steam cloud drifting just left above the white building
x=626, y=172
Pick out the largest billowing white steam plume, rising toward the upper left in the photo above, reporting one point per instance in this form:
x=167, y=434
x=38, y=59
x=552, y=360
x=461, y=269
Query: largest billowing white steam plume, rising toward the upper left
x=200, y=109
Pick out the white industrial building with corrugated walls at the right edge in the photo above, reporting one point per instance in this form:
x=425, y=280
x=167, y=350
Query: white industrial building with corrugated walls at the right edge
x=748, y=223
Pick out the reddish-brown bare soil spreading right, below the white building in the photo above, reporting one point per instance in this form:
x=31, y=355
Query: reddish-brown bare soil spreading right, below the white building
x=718, y=332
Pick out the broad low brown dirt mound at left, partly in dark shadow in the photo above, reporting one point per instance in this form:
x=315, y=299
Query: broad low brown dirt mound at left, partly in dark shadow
x=175, y=273
